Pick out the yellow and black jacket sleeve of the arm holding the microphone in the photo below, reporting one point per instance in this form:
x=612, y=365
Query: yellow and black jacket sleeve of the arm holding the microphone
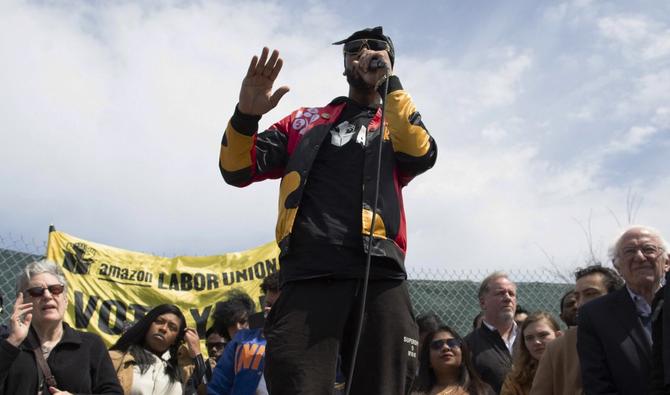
x=414, y=148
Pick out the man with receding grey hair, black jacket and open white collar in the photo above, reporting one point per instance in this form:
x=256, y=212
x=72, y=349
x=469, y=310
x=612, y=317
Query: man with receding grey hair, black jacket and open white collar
x=491, y=343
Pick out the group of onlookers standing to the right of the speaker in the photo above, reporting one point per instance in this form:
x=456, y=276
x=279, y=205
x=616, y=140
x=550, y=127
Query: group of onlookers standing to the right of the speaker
x=613, y=343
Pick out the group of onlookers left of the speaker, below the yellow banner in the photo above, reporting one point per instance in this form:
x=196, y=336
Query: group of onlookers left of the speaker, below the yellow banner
x=158, y=355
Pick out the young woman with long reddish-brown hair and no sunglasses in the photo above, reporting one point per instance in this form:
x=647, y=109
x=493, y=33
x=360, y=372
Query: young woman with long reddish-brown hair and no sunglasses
x=537, y=330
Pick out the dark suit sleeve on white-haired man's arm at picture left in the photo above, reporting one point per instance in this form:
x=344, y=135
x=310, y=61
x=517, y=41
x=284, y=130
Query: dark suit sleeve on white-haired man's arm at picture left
x=596, y=376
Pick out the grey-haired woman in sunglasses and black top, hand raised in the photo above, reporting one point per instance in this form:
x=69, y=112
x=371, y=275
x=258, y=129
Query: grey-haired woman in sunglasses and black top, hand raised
x=78, y=362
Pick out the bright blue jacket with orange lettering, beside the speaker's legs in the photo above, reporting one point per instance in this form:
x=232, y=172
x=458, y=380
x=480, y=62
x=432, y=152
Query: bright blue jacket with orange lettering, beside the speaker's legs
x=240, y=368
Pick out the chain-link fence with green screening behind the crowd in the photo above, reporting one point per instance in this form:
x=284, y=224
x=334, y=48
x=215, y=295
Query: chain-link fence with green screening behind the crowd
x=451, y=294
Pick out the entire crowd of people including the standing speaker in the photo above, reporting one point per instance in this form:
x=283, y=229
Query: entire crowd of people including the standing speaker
x=341, y=318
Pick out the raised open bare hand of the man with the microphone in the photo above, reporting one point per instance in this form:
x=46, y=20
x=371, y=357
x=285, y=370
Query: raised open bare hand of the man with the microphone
x=256, y=96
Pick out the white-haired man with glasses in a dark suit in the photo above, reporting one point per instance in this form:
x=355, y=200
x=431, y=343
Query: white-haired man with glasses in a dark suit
x=614, y=331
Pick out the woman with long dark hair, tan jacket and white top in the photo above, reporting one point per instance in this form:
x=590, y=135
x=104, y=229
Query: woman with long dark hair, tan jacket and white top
x=149, y=361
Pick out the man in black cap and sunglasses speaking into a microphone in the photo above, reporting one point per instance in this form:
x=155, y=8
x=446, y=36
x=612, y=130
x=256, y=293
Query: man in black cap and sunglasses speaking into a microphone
x=328, y=158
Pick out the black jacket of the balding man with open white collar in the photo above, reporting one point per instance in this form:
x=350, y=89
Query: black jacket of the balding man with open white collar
x=490, y=356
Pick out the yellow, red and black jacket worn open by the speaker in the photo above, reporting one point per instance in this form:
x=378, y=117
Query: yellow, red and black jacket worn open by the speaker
x=287, y=150
